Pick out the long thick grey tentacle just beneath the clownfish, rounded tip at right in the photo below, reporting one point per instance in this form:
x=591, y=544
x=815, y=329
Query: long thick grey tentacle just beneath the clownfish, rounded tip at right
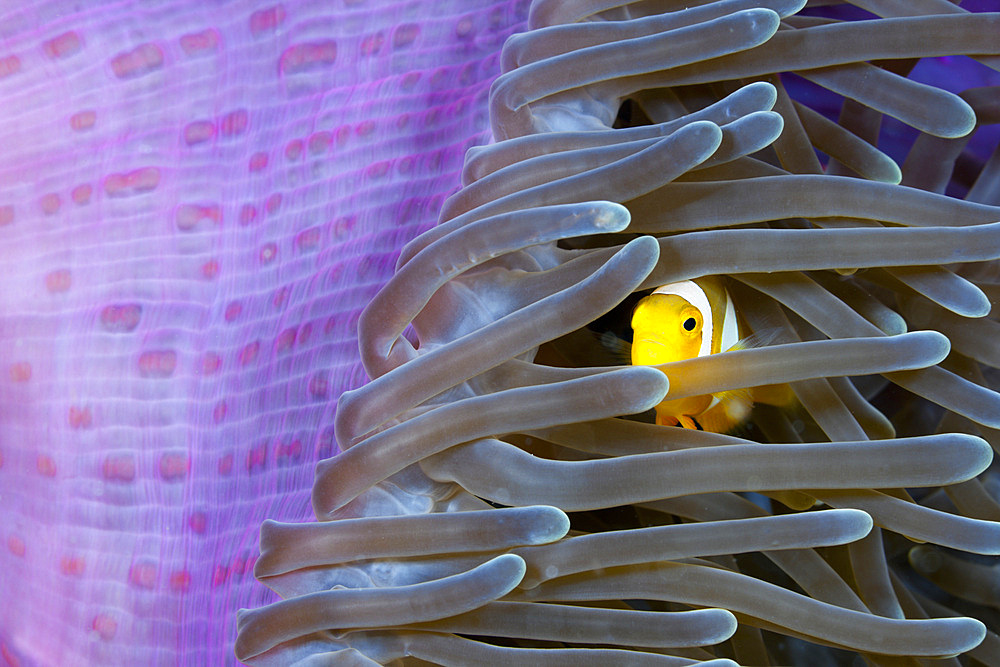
x=506, y=474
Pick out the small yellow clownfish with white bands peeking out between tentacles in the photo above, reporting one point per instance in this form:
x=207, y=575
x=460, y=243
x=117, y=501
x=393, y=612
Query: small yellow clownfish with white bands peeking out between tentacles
x=684, y=320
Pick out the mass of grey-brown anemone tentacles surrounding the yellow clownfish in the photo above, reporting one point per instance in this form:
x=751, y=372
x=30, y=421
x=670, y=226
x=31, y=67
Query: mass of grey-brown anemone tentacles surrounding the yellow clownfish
x=500, y=495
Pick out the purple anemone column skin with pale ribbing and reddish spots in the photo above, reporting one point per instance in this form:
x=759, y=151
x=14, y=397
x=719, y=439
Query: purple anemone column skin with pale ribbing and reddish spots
x=197, y=199
